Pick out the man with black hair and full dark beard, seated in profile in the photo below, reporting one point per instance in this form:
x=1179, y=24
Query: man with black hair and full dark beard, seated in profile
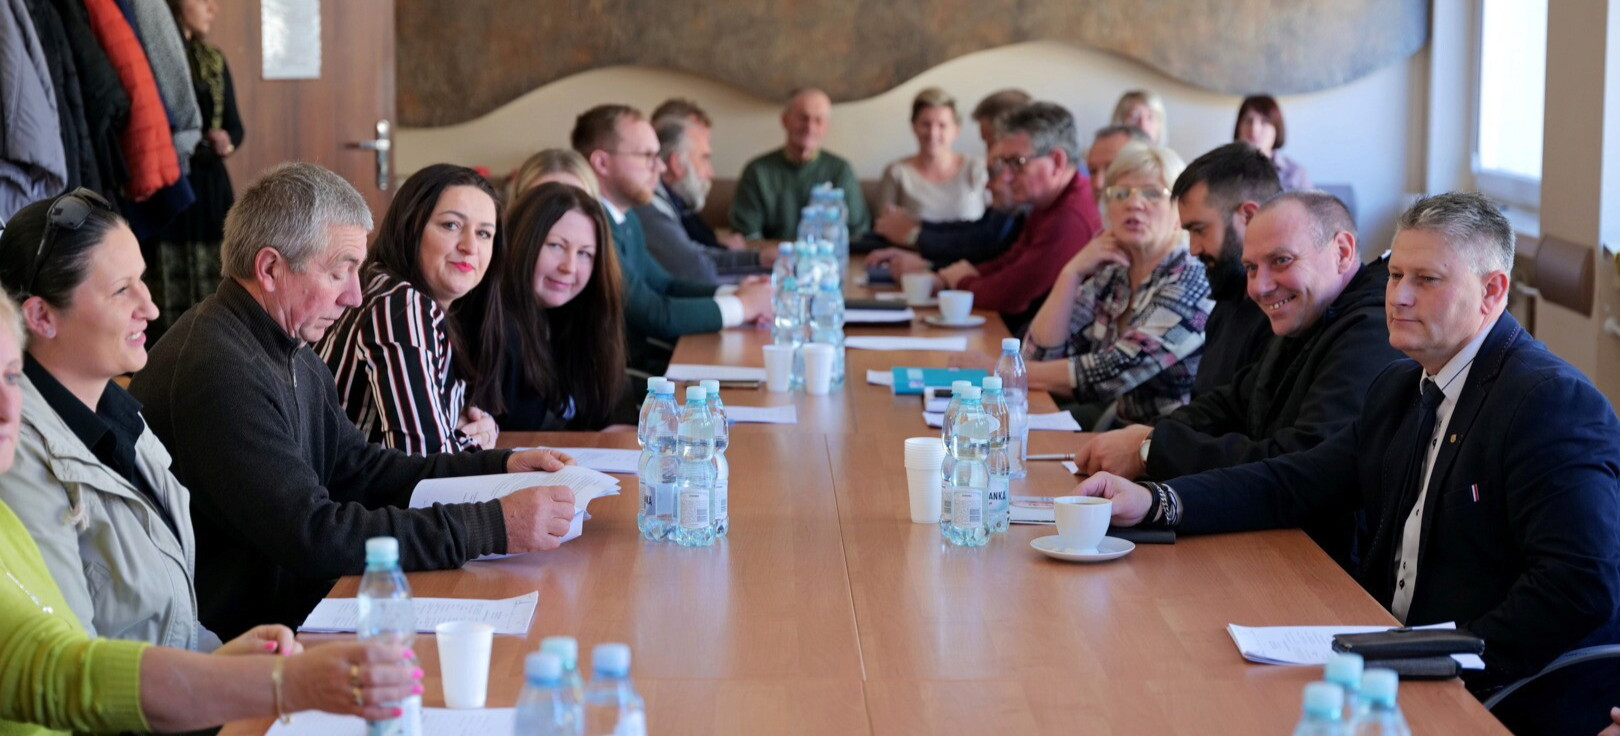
x=1217, y=195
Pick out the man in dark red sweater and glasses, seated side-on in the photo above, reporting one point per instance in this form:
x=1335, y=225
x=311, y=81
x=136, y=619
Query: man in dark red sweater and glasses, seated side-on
x=1038, y=156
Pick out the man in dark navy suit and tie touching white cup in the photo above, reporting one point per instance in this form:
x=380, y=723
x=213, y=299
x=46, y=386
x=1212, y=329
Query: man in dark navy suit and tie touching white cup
x=1488, y=468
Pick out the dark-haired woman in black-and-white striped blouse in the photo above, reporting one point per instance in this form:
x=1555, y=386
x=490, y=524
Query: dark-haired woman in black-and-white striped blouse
x=409, y=370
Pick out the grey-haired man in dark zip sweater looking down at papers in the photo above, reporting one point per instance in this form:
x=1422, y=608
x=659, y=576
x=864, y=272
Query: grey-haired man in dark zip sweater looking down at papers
x=284, y=489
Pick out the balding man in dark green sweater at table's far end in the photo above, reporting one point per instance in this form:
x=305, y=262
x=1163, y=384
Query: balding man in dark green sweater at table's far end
x=778, y=184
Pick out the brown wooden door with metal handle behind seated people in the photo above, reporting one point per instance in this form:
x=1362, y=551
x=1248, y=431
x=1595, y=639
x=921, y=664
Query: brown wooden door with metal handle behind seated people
x=317, y=121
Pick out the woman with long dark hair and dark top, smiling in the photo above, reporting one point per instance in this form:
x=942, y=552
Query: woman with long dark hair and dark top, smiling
x=563, y=296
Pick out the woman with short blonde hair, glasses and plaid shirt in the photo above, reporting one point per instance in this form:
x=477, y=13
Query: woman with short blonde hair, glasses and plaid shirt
x=1123, y=327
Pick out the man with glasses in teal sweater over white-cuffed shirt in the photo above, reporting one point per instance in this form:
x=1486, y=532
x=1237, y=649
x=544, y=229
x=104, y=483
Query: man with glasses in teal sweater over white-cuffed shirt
x=623, y=152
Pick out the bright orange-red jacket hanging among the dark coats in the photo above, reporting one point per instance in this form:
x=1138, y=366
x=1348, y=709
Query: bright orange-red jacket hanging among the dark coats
x=148, y=148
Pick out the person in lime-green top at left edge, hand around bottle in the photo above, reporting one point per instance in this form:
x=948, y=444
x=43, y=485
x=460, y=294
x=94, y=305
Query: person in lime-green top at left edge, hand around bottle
x=58, y=678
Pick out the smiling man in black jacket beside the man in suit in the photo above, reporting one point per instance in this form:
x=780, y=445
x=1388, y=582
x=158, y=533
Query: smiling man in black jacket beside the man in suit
x=1331, y=341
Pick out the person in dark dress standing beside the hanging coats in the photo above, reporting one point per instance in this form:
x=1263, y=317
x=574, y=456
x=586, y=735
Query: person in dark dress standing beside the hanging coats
x=185, y=267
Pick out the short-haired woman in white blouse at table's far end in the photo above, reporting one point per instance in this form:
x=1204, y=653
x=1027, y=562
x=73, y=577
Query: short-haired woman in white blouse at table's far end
x=937, y=184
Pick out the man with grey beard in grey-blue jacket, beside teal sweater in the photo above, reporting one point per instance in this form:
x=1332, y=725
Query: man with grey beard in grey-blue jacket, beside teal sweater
x=684, y=147
